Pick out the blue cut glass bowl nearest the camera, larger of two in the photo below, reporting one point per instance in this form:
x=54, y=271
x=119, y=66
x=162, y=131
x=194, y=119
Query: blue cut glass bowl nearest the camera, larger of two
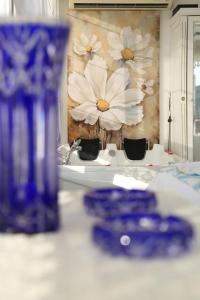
x=143, y=235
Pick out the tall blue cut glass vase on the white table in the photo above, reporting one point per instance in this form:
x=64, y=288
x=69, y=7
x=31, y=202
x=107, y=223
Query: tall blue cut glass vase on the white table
x=31, y=61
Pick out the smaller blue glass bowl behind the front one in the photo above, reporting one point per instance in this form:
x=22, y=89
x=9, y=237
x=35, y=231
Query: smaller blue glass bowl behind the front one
x=111, y=201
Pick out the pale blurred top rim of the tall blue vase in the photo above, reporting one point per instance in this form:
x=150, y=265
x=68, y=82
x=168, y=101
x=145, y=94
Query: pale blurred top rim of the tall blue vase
x=14, y=20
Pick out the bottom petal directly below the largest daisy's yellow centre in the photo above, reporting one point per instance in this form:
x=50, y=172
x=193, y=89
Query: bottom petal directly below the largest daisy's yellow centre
x=109, y=121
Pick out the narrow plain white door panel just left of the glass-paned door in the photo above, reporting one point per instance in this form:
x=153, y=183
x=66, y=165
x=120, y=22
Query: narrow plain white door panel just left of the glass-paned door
x=179, y=87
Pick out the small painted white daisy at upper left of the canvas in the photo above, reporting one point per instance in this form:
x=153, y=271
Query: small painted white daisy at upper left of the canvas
x=86, y=45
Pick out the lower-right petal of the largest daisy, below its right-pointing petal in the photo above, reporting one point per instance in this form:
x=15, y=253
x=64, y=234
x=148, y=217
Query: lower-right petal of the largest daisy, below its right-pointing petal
x=130, y=116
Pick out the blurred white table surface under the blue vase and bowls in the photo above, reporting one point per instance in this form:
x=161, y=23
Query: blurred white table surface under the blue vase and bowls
x=67, y=266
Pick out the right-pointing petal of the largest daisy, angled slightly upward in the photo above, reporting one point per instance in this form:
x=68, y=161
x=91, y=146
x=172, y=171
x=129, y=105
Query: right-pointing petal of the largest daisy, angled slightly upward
x=127, y=98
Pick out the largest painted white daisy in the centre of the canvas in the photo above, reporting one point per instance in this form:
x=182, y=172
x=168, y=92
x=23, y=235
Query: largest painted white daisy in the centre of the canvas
x=103, y=99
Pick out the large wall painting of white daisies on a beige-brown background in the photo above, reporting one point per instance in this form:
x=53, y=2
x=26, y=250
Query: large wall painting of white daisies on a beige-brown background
x=113, y=76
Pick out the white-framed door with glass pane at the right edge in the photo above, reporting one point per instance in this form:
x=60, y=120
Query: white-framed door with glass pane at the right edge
x=193, y=91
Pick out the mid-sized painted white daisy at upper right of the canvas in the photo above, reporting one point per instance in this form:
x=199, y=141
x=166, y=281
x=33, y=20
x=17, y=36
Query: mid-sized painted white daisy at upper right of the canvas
x=131, y=47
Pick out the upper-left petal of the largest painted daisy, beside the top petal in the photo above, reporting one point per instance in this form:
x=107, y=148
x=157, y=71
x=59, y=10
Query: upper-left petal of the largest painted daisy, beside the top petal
x=79, y=89
